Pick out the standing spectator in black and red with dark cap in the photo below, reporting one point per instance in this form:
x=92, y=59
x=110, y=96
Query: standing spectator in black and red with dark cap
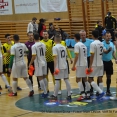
x=41, y=28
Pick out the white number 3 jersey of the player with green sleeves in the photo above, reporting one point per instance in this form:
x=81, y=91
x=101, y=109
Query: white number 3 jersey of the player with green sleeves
x=18, y=50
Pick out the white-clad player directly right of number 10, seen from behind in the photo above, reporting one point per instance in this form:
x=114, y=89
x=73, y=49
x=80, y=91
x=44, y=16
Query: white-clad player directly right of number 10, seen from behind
x=80, y=61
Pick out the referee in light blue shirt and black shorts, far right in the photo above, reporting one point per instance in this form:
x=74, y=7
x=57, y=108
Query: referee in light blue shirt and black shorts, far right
x=109, y=52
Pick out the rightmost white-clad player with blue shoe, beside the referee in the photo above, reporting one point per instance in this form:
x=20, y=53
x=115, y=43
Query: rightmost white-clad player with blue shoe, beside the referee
x=96, y=63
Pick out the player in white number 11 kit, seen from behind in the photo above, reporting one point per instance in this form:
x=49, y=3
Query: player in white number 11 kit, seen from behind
x=38, y=57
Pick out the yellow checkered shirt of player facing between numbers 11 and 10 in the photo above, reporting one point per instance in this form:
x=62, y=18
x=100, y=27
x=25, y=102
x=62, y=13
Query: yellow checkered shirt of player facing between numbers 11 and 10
x=49, y=45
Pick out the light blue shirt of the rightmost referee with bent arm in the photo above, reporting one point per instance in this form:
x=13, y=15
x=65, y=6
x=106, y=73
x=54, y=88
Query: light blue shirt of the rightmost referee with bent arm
x=107, y=57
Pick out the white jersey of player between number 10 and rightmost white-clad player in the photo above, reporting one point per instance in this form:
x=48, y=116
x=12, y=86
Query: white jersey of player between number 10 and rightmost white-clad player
x=81, y=49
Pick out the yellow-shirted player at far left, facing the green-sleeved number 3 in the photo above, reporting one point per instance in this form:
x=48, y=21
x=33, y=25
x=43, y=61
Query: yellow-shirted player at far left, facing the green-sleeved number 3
x=6, y=55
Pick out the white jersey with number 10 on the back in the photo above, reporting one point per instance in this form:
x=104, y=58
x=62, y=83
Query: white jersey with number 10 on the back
x=60, y=51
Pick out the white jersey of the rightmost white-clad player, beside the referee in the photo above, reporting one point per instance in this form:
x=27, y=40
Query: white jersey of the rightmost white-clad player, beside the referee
x=96, y=47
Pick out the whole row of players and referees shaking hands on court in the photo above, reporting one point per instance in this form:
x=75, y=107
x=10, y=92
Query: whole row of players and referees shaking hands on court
x=92, y=59
